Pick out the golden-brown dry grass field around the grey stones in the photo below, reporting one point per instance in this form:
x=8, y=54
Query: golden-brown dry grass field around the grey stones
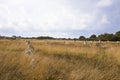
x=59, y=60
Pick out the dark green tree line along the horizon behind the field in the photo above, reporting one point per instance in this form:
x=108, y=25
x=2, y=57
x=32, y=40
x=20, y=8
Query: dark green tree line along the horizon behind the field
x=93, y=37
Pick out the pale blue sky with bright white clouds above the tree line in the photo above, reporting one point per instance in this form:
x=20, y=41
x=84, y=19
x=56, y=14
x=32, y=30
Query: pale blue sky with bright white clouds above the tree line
x=59, y=18
